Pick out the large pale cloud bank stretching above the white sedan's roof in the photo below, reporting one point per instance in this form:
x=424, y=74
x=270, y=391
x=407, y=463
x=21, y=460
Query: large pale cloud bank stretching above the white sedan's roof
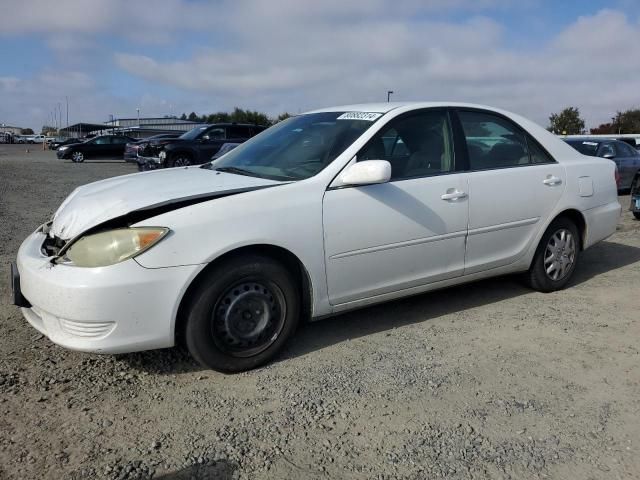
x=279, y=58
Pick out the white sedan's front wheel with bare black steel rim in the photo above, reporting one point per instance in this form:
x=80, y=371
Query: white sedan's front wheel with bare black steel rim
x=229, y=339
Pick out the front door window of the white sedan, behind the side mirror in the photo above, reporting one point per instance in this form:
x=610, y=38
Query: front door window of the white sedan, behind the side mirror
x=417, y=145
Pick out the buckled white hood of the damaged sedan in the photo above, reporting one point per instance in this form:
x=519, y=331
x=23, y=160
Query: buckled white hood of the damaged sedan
x=146, y=194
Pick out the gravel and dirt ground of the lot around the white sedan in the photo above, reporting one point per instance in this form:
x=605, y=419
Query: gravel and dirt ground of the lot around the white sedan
x=488, y=380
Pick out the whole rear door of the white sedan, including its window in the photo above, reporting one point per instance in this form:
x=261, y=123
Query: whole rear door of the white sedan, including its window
x=514, y=185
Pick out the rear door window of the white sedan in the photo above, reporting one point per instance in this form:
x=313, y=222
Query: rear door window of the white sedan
x=493, y=141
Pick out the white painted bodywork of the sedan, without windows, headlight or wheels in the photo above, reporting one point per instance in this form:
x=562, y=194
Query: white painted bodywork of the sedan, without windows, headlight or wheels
x=355, y=249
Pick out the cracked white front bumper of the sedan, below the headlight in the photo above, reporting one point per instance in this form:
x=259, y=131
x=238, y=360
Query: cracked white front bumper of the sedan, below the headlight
x=116, y=309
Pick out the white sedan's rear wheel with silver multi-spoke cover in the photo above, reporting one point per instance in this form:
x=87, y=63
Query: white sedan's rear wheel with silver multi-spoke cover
x=556, y=257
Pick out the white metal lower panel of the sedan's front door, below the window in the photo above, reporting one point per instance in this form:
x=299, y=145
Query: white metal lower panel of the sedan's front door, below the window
x=396, y=235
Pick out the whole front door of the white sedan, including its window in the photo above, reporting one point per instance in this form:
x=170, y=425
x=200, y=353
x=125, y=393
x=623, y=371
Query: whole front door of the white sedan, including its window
x=404, y=233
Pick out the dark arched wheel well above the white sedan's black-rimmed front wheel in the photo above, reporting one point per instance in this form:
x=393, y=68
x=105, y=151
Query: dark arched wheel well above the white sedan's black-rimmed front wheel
x=282, y=255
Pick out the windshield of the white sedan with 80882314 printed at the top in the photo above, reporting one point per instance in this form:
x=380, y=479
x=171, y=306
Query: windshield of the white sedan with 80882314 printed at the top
x=296, y=148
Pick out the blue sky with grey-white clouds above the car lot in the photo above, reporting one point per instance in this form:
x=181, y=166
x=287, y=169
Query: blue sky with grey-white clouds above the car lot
x=166, y=57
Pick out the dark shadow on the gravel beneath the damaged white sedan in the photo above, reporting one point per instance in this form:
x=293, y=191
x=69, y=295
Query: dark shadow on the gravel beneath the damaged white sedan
x=602, y=258
